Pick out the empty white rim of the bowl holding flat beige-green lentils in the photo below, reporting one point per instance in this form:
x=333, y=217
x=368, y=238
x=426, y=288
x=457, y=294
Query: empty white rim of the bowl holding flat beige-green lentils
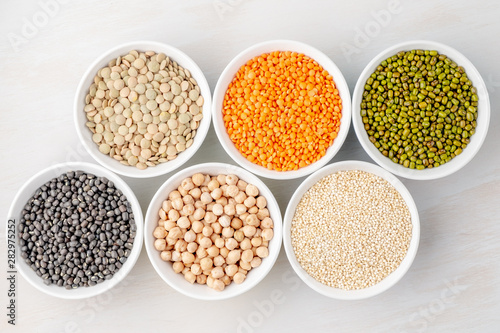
x=85, y=134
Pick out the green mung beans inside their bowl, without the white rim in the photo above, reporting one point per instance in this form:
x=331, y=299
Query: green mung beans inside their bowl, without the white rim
x=419, y=108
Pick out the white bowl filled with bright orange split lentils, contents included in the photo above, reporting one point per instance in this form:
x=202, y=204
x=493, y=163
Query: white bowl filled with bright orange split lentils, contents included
x=281, y=109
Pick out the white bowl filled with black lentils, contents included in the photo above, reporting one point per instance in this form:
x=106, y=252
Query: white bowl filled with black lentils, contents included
x=79, y=230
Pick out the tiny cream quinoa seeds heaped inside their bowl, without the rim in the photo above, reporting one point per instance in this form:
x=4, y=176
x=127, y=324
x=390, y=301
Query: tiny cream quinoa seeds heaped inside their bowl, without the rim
x=351, y=230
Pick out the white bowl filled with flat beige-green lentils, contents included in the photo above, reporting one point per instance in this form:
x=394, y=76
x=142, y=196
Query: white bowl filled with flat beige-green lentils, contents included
x=142, y=109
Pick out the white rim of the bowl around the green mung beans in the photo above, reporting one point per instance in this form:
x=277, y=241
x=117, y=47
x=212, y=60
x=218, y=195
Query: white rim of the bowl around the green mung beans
x=475, y=141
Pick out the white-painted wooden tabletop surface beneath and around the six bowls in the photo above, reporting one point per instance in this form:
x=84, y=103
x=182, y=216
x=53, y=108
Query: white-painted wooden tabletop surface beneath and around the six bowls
x=454, y=283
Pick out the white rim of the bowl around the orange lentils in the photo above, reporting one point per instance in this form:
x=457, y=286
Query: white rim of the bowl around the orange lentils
x=228, y=75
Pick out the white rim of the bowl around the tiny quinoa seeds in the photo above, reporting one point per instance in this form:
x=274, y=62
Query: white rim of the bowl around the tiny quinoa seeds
x=392, y=278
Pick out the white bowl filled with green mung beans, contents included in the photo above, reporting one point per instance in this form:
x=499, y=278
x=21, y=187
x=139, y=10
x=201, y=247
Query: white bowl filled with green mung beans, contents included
x=421, y=110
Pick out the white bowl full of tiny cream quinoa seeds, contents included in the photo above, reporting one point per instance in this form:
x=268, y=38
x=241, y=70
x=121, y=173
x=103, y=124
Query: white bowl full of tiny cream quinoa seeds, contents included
x=351, y=230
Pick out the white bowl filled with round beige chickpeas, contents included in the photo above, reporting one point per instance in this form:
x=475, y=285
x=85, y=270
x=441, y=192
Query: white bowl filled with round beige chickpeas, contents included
x=213, y=231
